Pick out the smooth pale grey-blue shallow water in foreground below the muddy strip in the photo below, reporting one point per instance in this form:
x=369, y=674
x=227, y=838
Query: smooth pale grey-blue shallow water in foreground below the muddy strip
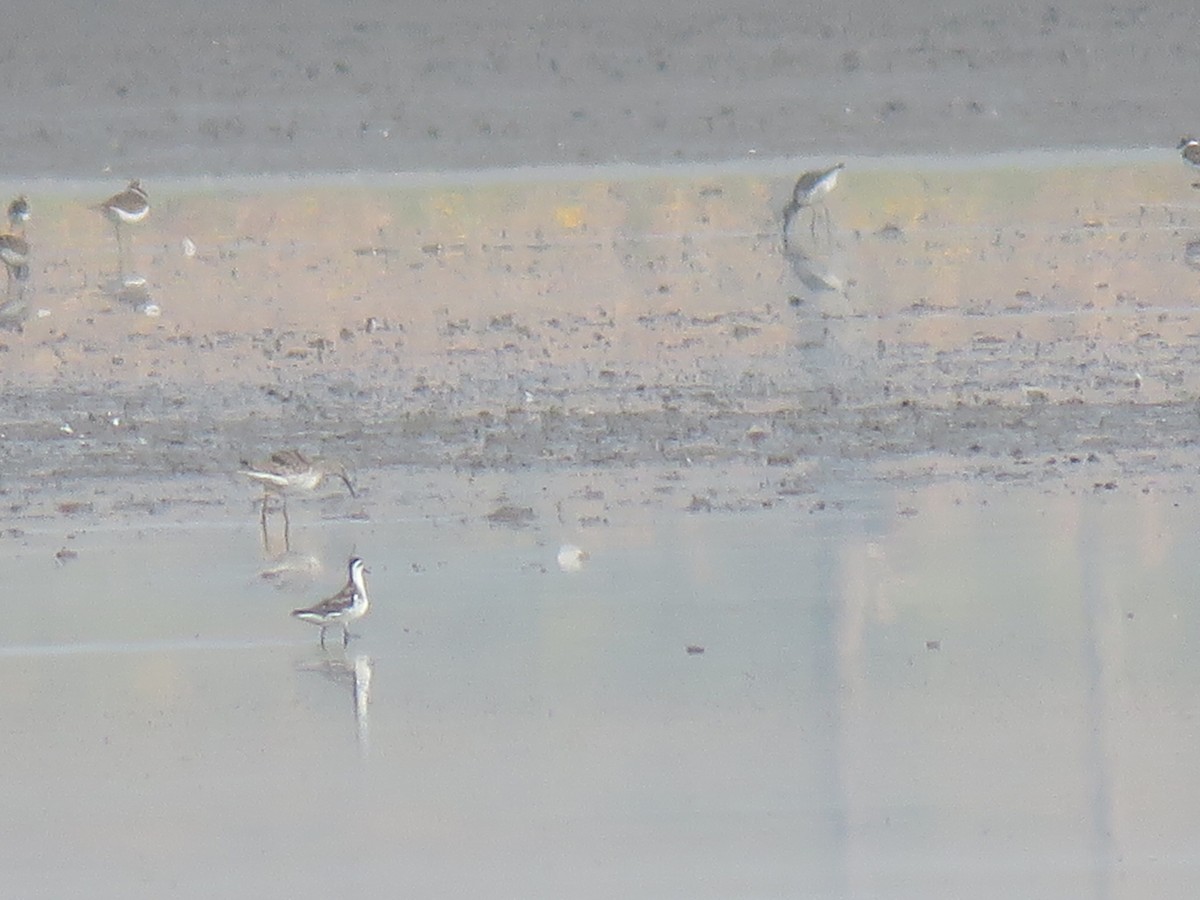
x=938, y=692
